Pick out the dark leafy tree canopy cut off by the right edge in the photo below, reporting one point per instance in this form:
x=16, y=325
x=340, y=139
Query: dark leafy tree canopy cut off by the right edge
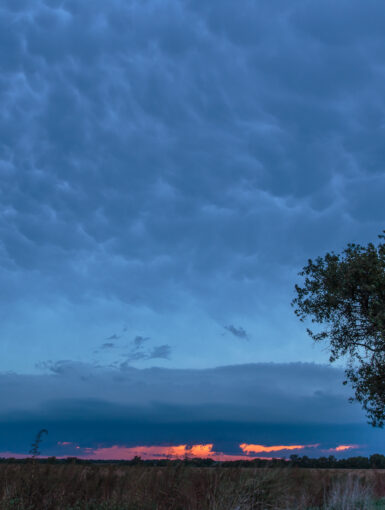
x=345, y=295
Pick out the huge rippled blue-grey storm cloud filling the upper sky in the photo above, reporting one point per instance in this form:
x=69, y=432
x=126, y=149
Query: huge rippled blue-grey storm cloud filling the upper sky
x=155, y=149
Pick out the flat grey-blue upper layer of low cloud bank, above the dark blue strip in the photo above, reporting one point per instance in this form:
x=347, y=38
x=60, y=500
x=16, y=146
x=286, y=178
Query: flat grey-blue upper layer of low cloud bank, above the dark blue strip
x=263, y=393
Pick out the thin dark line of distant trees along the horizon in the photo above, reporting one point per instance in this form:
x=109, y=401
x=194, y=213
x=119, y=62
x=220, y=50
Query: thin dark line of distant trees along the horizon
x=375, y=461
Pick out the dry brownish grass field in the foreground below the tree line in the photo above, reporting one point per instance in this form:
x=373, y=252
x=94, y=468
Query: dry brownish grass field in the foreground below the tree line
x=177, y=487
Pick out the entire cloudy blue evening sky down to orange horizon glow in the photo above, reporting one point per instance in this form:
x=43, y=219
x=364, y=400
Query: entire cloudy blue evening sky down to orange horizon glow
x=167, y=167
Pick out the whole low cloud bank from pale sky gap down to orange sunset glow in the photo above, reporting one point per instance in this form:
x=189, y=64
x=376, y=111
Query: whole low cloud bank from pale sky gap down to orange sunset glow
x=260, y=404
